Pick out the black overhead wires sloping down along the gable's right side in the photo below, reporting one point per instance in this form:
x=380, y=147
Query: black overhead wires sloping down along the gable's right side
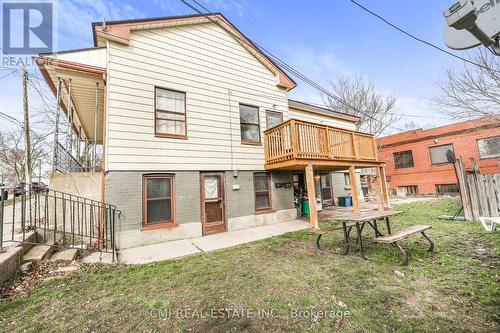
x=286, y=66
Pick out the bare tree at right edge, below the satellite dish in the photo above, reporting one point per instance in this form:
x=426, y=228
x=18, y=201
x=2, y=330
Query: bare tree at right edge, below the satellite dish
x=472, y=91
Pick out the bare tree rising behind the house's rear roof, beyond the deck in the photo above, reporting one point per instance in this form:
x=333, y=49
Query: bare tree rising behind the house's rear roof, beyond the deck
x=354, y=96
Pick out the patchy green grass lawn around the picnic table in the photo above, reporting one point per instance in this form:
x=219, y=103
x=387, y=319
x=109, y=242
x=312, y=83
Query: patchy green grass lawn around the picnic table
x=289, y=283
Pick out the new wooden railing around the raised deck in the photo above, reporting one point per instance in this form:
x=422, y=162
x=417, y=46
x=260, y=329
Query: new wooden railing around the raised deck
x=297, y=139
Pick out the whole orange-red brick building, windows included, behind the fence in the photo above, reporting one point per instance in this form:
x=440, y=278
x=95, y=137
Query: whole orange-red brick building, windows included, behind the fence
x=416, y=160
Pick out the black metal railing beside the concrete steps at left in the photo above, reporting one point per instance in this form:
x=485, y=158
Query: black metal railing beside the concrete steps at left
x=40, y=215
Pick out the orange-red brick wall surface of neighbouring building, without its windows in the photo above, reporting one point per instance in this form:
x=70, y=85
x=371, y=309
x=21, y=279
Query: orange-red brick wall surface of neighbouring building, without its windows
x=463, y=136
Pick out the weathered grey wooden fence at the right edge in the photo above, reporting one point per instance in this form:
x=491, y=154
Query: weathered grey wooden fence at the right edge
x=480, y=193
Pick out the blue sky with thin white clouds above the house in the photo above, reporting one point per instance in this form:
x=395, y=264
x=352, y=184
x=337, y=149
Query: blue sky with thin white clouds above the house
x=323, y=39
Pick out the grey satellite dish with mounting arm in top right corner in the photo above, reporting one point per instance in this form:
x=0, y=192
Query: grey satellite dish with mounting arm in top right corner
x=471, y=23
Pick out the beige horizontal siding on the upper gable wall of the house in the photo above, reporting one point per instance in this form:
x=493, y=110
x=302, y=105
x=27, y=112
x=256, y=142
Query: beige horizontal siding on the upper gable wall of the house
x=203, y=61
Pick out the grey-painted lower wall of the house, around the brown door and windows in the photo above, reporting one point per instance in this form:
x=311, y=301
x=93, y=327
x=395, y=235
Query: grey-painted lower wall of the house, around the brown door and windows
x=124, y=190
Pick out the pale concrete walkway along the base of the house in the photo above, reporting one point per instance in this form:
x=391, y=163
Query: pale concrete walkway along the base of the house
x=185, y=247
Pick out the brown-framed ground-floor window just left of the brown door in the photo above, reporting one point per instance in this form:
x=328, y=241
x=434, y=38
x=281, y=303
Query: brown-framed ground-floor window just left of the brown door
x=158, y=194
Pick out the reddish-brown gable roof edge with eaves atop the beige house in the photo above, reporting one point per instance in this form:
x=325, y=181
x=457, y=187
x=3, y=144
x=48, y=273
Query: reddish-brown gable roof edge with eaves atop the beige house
x=119, y=31
